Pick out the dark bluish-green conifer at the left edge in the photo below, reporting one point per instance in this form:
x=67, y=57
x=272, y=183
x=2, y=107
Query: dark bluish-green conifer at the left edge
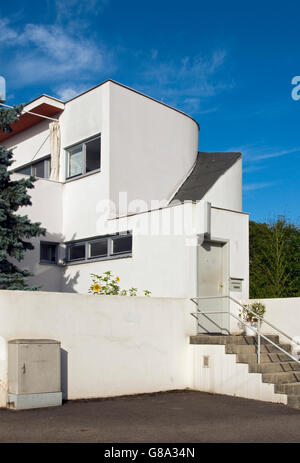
x=15, y=229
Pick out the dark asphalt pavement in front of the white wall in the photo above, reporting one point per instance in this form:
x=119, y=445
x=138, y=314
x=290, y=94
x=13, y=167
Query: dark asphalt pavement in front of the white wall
x=164, y=417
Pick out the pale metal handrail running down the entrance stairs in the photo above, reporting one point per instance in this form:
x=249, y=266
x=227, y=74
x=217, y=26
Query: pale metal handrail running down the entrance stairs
x=257, y=331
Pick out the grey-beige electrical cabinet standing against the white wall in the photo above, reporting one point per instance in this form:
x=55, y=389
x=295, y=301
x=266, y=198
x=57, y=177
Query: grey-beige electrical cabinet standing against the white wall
x=34, y=373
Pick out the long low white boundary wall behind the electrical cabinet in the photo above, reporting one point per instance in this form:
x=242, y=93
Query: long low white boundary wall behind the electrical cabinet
x=111, y=345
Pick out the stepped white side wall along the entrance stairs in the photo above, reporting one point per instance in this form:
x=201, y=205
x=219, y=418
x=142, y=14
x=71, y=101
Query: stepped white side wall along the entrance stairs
x=215, y=371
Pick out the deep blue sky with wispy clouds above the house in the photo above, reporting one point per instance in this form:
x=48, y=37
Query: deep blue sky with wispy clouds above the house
x=229, y=64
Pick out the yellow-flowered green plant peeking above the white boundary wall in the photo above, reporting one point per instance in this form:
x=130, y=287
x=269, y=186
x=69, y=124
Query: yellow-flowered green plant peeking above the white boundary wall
x=107, y=284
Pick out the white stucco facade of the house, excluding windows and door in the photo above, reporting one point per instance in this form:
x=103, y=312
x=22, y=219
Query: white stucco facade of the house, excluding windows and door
x=148, y=151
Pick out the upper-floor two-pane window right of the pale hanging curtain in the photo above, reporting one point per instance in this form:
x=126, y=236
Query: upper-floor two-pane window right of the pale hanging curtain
x=84, y=158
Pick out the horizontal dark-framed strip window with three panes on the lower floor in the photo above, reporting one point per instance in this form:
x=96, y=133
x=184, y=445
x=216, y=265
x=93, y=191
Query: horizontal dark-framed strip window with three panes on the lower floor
x=100, y=248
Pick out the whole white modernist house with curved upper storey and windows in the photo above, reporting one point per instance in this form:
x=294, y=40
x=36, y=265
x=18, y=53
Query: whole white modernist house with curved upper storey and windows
x=122, y=187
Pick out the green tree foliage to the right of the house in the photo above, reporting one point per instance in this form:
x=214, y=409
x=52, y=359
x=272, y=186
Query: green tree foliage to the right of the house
x=274, y=259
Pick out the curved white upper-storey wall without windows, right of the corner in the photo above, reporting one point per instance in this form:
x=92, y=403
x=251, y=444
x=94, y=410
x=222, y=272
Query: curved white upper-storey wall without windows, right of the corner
x=152, y=147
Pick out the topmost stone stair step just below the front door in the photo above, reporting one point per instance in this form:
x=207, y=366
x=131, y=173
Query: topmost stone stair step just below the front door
x=228, y=339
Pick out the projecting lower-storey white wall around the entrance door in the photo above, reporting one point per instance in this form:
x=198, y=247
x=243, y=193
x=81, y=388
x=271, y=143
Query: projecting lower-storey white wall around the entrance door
x=166, y=264
